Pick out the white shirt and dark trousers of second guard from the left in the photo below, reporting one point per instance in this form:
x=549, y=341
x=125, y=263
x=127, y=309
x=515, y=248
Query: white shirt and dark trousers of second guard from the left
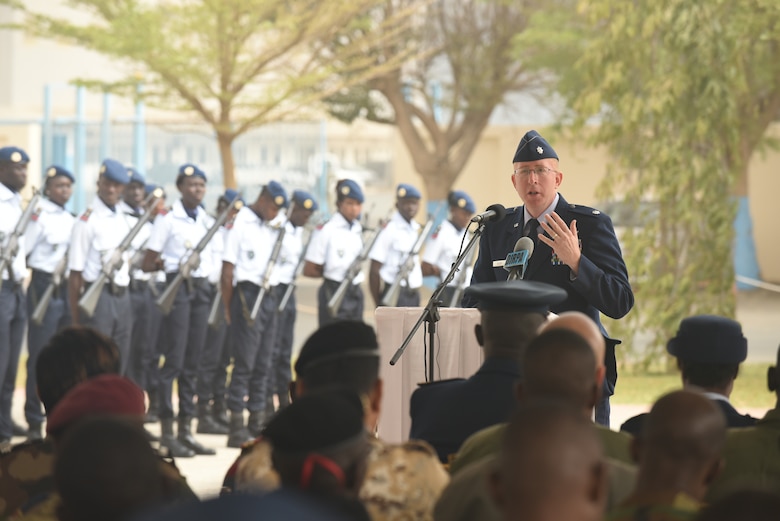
x=46, y=243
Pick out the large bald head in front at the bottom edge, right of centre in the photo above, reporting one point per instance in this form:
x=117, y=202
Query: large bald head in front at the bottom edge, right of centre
x=551, y=467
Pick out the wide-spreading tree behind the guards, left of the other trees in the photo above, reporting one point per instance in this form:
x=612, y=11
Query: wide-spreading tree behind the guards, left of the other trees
x=236, y=64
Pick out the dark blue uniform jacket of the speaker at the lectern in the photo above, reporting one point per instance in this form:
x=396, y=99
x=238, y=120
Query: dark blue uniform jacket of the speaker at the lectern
x=602, y=282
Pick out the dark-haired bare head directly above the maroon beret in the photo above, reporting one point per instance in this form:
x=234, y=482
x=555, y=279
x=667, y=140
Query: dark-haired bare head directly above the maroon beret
x=72, y=356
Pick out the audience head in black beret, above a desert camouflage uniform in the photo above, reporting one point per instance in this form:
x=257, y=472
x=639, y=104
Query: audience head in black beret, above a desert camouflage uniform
x=344, y=354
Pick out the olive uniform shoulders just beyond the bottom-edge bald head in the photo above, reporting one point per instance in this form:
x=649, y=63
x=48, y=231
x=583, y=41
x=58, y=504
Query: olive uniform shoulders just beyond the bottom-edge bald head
x=487, y=442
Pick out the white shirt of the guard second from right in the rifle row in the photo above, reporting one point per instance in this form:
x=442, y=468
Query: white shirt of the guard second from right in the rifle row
x=392, y=248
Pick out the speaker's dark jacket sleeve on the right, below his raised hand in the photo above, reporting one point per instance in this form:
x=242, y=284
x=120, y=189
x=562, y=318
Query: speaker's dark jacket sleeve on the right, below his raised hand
x=603, y=278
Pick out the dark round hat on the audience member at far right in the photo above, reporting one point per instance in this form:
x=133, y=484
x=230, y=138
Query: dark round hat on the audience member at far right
x=709, y=339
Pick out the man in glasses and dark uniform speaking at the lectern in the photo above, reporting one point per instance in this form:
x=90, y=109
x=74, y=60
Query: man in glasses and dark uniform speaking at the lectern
x=576, y=248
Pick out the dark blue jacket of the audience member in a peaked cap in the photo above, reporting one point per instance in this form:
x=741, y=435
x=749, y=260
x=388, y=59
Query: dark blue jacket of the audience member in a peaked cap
x=447, y=412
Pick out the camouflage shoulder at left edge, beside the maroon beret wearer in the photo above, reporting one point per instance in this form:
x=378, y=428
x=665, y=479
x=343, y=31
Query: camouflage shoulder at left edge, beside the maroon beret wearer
x=25, y=473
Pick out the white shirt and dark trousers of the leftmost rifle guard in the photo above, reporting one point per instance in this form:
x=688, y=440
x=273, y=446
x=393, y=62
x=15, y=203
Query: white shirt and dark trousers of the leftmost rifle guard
x=13, y=315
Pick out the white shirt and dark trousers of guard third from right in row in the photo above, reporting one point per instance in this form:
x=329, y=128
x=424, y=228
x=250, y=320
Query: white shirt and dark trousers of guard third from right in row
x=335, y=245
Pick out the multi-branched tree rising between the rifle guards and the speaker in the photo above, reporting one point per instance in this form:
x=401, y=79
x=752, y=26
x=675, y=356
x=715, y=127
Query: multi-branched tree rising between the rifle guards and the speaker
x=442, y=101
